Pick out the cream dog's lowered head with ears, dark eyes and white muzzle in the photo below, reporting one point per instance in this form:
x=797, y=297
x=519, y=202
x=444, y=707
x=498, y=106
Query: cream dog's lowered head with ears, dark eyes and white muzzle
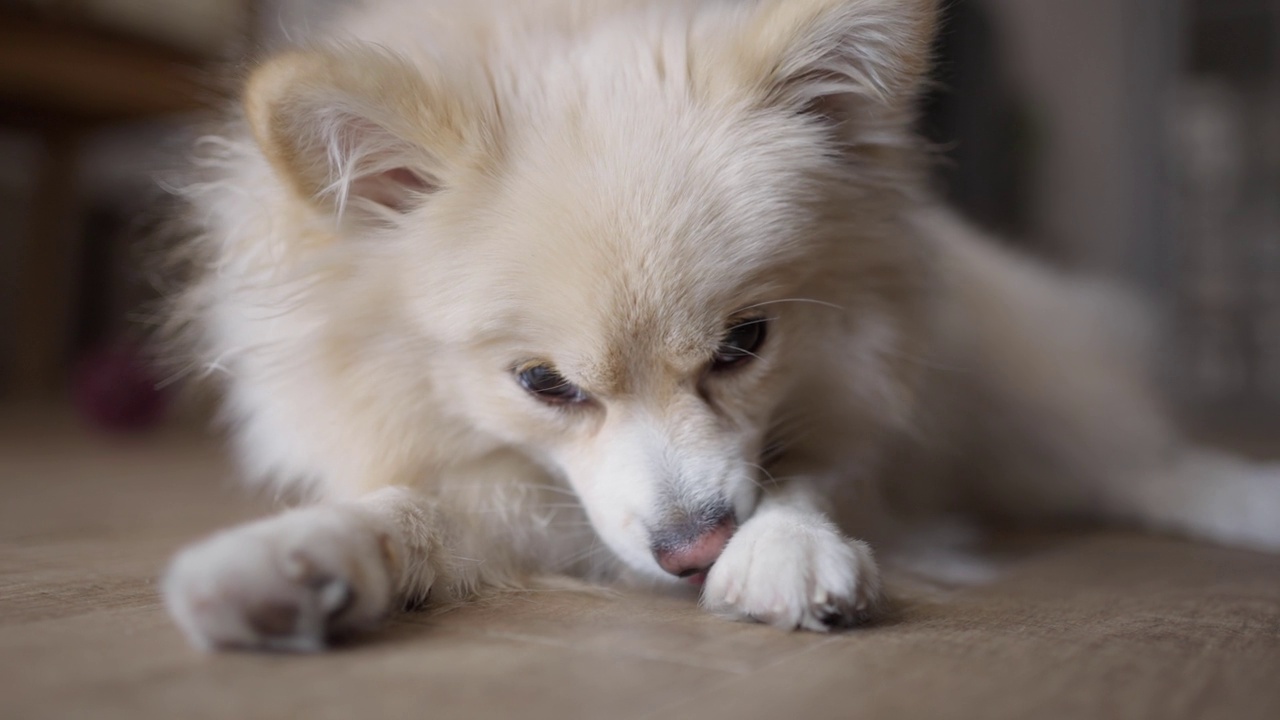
x=625, y=236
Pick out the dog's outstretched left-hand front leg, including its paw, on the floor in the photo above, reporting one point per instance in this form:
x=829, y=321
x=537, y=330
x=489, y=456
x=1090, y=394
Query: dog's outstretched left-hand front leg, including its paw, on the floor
x=298, y=581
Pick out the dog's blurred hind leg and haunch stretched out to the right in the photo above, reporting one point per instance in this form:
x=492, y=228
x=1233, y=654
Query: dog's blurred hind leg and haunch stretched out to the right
x=1062, y=411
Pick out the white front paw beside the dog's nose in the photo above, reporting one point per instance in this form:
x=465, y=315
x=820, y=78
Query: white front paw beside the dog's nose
x=794, y=571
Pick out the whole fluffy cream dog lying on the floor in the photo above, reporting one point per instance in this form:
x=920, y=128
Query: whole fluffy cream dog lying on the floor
x=636, y=291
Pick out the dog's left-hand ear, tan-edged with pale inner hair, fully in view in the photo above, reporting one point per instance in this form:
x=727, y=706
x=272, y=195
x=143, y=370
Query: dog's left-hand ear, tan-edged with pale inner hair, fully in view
x=355, y=131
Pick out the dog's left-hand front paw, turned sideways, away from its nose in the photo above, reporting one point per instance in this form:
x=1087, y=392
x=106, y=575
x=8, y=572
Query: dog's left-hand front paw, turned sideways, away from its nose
x=289, y=584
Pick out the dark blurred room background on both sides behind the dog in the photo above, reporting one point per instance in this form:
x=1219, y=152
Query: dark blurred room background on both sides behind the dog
x=1133, y=139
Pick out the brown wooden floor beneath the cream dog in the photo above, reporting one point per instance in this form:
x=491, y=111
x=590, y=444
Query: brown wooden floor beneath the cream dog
x=1091, y=627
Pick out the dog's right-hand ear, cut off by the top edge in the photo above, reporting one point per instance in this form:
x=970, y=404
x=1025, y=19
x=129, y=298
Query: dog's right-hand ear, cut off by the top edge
x=835, y=56
